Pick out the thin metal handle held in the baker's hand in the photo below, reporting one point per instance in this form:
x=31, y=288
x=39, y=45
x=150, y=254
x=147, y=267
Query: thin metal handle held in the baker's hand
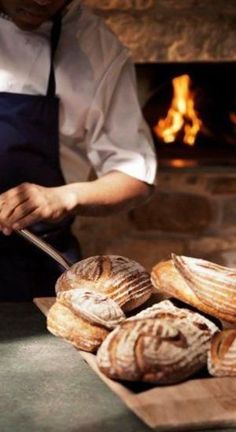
x=45, y=247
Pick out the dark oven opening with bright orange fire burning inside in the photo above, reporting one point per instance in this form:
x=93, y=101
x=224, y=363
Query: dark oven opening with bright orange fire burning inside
x=191, y=109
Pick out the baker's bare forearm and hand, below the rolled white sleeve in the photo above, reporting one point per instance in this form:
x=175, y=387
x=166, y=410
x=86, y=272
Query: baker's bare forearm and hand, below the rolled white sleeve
x=28, y=203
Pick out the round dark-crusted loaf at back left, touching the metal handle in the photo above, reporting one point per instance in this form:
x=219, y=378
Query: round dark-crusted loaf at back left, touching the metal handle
x=120, y=278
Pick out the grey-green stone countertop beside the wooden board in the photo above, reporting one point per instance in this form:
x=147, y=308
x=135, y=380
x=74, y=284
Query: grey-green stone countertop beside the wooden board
x=47, y=387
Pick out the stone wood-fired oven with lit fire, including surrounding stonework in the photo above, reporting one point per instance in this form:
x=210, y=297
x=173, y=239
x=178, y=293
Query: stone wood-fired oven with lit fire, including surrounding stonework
x=193, y=213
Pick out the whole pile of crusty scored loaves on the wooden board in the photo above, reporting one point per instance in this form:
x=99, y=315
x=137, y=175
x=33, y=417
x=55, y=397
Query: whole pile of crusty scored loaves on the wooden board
x=163, y=344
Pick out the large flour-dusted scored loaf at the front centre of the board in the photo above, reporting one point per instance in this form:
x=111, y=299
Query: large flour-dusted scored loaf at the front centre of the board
x=162, y=345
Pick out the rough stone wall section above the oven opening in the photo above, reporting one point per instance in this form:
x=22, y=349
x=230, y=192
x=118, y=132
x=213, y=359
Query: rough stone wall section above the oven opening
x=172, y=30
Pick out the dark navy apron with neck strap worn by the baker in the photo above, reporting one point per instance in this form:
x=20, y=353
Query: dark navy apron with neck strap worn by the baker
x=29, y=152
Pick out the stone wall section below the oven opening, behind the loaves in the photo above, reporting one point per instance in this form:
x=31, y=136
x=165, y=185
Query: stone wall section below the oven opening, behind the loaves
x=192, y=213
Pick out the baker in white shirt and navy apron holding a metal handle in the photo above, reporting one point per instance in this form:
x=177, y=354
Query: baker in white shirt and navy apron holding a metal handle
x=67, y=98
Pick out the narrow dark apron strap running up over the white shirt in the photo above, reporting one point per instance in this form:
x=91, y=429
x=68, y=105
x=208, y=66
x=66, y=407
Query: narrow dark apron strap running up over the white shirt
x=55, y=37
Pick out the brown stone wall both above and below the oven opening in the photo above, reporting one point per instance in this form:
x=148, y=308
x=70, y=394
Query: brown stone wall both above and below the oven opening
x=193, y=212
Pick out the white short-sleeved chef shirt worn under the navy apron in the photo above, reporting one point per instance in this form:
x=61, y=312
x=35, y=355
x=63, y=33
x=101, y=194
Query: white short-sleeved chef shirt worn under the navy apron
x=100, y=119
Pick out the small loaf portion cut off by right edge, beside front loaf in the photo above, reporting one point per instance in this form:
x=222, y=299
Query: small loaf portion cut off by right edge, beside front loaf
x=222, y=354
